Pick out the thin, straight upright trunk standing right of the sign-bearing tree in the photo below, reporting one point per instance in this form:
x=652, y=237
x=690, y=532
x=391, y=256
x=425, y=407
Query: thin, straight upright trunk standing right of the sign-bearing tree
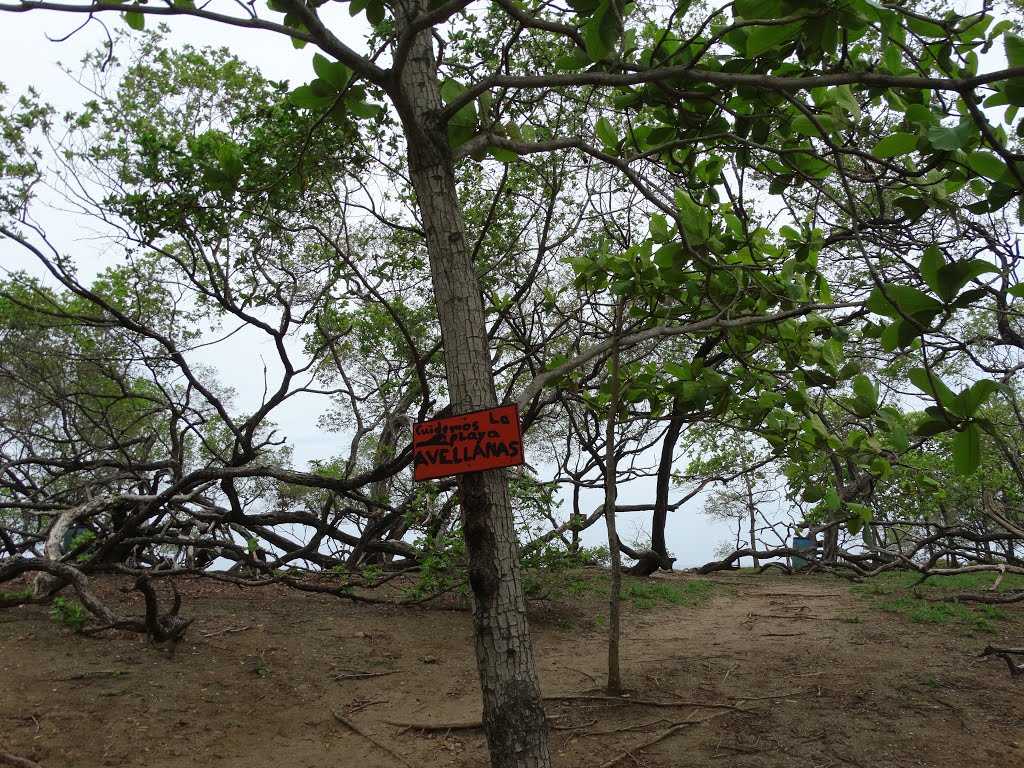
x=611, y=493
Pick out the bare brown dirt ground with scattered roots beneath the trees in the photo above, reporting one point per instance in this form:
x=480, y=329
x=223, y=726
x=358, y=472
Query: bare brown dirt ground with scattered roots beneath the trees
x=774, y=671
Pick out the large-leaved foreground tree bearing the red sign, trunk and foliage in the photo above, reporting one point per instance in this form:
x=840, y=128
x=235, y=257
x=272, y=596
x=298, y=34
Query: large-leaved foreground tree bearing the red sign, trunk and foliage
x=700, y=113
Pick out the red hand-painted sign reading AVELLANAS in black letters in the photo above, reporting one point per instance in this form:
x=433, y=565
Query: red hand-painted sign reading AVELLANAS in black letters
x=483, y=440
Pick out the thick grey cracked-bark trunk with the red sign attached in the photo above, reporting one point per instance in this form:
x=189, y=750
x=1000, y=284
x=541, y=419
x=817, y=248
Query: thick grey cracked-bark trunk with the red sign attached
x=514, y=711
